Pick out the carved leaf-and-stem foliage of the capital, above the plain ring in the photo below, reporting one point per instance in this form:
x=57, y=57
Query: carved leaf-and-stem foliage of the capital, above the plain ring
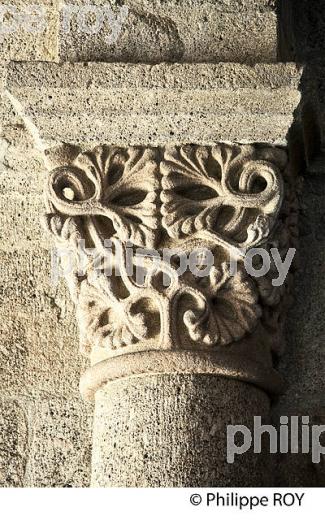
x=223, y=197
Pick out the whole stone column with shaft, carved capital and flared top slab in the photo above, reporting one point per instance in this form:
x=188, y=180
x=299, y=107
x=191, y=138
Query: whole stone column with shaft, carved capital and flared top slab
x=175, y=356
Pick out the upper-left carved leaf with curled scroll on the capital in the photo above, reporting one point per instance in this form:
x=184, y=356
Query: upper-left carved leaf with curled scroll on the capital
x=112, y=185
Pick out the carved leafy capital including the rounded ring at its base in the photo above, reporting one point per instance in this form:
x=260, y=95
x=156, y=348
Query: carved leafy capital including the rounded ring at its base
x=225, y=199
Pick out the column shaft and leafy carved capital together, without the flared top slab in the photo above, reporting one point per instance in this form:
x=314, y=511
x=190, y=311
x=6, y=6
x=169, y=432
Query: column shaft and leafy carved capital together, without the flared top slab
x=166, y=346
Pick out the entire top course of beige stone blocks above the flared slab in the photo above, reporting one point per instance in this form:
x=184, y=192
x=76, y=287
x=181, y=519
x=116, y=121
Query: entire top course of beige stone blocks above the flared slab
x=153, y=31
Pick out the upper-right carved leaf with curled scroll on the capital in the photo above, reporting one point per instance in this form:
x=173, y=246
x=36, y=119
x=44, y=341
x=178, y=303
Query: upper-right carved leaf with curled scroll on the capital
x=231, y=194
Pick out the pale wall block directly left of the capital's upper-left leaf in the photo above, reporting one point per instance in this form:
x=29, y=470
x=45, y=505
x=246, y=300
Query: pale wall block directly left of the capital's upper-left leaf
x=21, y=187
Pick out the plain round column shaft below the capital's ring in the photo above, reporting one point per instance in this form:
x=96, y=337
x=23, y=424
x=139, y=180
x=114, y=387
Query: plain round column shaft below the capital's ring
x=170, y=431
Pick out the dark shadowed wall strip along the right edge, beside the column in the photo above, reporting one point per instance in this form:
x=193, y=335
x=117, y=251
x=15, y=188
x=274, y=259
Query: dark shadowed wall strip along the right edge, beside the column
x=302, y=39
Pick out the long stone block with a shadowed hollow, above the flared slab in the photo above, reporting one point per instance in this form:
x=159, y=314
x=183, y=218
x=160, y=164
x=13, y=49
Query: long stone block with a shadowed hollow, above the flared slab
x=177, y=31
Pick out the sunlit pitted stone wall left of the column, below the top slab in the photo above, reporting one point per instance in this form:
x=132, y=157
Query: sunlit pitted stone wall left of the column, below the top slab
x=45, y=427
